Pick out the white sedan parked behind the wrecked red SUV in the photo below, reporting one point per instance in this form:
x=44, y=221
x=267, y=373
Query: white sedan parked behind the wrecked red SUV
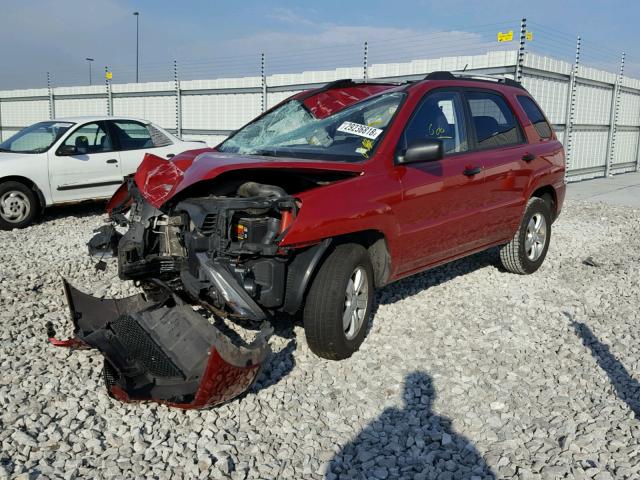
x=74, y=159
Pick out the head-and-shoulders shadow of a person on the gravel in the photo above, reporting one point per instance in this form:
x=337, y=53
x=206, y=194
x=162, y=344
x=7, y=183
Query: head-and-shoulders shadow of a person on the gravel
x=411, y=443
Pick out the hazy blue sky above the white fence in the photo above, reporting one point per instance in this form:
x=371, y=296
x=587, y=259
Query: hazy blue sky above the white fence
x=211, y=39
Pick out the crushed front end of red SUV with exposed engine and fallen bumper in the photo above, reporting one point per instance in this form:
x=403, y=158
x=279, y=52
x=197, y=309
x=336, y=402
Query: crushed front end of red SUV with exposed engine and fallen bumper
x=200, y=260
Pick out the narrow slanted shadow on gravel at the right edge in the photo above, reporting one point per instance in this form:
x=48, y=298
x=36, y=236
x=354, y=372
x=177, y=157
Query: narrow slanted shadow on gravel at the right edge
x=627, y=388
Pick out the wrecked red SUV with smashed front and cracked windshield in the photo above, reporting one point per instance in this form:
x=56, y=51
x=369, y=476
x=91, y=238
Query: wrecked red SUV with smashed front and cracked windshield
x=309, y=208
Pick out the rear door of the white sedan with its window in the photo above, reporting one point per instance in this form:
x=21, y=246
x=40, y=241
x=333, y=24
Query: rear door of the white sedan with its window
x=135, y=139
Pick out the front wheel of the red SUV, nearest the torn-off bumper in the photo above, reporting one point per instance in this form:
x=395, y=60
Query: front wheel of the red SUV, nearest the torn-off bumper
x=348, y=266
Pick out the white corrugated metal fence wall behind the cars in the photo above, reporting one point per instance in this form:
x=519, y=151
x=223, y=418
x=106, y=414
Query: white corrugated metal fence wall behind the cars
x=596, y=113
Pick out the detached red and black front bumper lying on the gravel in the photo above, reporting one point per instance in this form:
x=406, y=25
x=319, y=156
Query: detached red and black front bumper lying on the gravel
x=165, y=352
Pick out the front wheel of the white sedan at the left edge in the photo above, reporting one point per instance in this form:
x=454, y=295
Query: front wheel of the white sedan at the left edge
x=18, y=205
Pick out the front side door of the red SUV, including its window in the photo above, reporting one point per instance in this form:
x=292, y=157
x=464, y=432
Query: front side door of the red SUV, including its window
x=439, y=218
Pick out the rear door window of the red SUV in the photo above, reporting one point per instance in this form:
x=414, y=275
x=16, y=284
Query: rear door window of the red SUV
x=494, y=122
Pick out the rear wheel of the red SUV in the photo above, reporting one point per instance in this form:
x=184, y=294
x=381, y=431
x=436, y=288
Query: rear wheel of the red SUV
x=527, y=250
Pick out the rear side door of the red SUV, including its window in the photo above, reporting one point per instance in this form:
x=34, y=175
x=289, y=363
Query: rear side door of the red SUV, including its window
x=502, y=150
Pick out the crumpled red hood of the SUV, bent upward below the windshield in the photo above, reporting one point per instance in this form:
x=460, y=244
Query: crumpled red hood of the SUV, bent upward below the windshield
x=160, y=180
